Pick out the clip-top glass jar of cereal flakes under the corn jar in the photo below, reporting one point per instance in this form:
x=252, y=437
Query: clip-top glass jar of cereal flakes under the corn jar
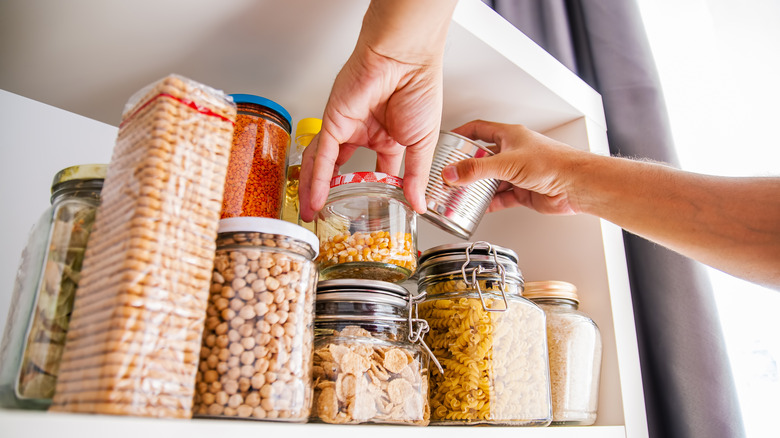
x=370, y=365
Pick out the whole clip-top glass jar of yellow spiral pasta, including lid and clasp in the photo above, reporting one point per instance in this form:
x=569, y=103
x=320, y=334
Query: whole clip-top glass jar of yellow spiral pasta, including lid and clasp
x=490, y=341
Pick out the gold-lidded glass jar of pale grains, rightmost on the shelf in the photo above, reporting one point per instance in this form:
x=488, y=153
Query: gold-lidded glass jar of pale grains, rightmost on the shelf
x=574, y=345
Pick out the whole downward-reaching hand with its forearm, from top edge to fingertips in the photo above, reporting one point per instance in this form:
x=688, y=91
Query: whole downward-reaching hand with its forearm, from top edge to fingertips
x=387, y=97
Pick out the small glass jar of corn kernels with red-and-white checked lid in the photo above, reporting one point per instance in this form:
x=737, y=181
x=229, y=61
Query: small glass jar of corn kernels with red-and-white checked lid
x=367, y=229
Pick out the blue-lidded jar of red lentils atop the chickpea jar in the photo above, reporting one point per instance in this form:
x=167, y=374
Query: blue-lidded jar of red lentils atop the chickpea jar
x=256, y=168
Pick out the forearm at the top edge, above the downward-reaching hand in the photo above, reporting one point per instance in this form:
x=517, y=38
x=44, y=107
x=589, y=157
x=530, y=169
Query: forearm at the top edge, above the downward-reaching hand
x=407, y=30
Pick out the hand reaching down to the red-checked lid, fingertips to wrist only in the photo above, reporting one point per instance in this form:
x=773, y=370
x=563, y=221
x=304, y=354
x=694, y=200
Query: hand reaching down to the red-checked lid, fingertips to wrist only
x=382, y=104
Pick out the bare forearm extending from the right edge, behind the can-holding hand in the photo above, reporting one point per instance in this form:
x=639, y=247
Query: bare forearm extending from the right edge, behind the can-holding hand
x=732, y=224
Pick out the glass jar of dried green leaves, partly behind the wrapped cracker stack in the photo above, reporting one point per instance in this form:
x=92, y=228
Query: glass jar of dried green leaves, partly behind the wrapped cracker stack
x=45, y=288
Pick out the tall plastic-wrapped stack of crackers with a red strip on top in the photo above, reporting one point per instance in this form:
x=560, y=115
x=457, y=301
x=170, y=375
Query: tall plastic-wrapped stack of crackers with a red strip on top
x=135, y=332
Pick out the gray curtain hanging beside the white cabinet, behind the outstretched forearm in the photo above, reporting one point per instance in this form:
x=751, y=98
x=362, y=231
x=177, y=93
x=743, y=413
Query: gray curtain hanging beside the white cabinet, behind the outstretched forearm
x=689, y=389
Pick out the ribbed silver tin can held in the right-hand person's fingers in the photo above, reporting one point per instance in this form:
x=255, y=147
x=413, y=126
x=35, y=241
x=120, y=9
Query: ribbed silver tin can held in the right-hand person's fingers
x=457, y=210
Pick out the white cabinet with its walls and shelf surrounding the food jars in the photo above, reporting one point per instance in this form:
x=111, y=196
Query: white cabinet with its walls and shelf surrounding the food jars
x=290, y=52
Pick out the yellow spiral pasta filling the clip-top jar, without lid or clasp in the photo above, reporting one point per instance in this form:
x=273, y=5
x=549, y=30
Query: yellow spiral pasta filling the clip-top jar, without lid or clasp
x=495, y=363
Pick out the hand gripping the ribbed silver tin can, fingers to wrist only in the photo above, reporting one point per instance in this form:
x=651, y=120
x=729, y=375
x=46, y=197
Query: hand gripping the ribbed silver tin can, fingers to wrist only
x=534, y=169
